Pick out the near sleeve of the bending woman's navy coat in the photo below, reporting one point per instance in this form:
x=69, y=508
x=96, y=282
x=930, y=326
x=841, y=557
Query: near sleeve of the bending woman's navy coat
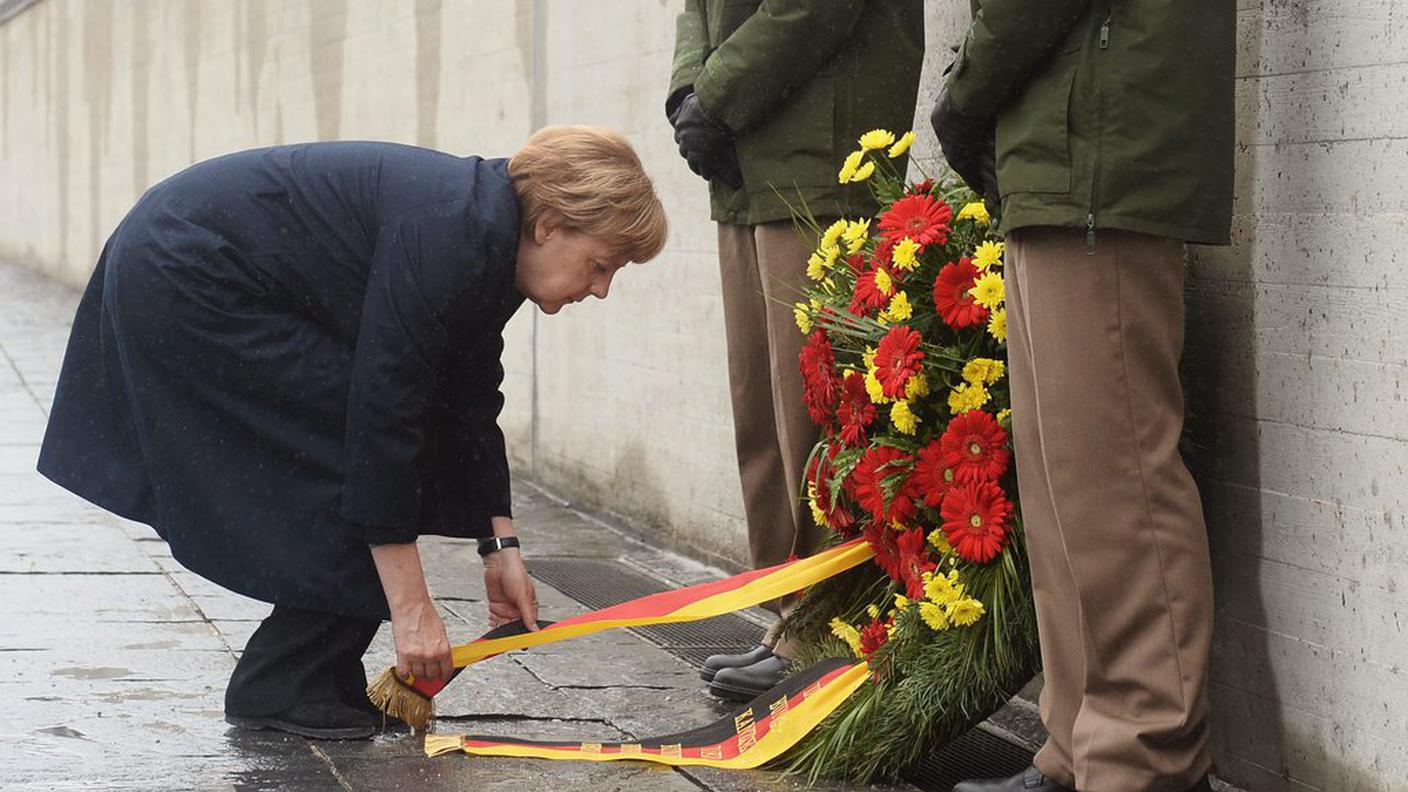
x=396, y=364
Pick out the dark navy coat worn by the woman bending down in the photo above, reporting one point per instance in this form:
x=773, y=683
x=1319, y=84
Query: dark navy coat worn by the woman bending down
x=289, y=353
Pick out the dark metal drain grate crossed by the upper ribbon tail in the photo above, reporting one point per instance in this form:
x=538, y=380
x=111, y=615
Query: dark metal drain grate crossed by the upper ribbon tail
x=601, y=584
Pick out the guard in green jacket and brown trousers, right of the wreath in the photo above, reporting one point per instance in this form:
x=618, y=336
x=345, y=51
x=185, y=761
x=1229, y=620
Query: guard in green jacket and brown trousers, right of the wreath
x=1103, y=130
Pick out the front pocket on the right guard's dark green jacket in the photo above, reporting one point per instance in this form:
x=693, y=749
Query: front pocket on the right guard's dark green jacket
x=1034, y=133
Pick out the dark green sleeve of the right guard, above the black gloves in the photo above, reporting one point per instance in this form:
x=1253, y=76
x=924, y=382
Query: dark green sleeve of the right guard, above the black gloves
x=1005, y=46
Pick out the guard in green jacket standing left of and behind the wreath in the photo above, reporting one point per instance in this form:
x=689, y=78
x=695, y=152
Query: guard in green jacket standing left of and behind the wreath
x=767, y=99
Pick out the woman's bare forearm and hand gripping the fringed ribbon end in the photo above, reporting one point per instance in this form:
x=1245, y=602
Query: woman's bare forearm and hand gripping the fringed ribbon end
x=422, y=646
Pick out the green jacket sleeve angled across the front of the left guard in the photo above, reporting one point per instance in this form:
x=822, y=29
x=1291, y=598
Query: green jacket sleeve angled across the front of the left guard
x=774, y=53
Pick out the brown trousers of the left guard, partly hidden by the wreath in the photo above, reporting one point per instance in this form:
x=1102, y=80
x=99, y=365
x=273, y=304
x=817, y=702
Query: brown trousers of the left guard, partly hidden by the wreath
x=764, y=271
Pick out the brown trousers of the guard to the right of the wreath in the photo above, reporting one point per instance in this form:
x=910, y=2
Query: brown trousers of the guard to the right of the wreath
x=1119, y=547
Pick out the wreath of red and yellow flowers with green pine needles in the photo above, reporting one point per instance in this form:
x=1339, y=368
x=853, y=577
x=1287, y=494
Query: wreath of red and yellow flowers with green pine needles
x=903, y=373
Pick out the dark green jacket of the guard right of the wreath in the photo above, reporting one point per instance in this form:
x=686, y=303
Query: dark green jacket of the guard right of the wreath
x=1110, y=113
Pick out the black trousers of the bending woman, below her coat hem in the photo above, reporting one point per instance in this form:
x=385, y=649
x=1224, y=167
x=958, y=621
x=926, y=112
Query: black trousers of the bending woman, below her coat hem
x=301, y=657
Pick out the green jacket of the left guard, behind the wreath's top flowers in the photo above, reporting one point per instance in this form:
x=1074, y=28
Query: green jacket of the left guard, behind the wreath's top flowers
x=799, y=82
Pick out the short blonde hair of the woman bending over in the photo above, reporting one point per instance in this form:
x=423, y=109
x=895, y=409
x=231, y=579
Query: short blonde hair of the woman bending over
x=593, y=182
